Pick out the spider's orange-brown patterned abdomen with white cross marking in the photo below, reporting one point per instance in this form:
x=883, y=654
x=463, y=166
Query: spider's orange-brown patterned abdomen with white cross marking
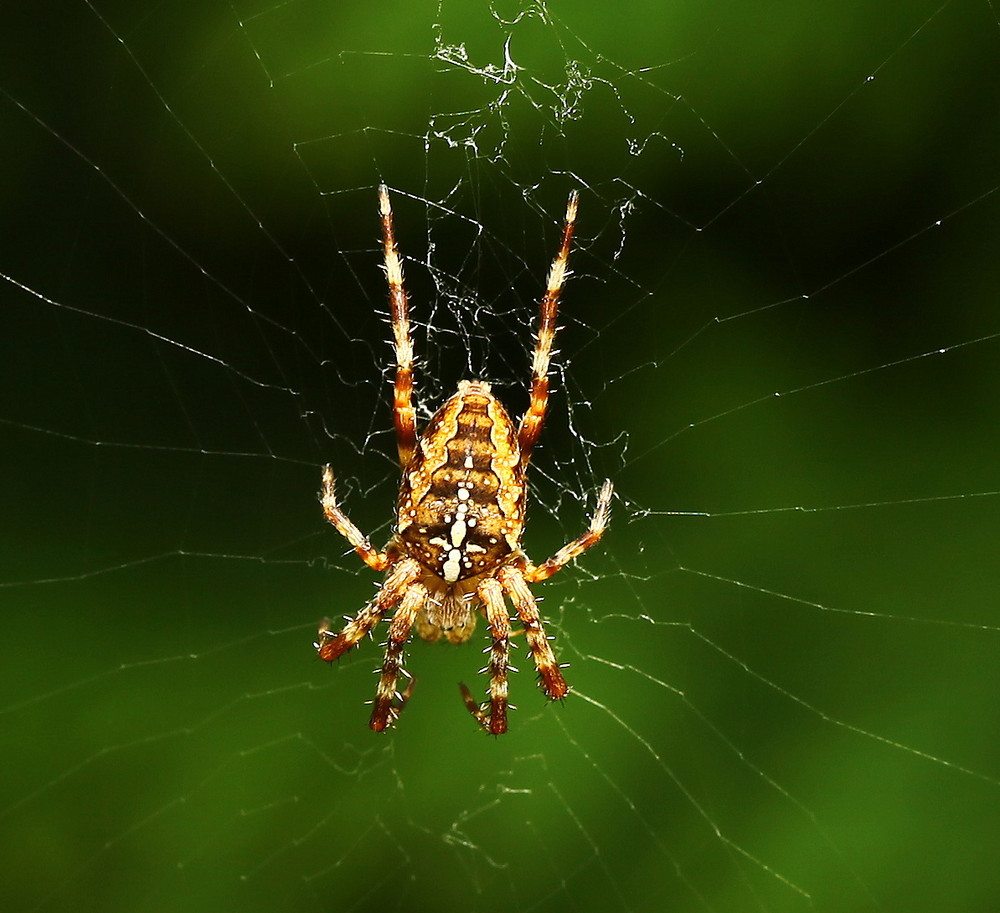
x=461, y=503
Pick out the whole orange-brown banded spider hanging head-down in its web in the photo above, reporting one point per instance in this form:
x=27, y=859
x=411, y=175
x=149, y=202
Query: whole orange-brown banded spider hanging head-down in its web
x=455, y=551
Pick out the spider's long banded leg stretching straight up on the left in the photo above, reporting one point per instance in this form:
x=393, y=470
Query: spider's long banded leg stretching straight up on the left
x=404, y=414
